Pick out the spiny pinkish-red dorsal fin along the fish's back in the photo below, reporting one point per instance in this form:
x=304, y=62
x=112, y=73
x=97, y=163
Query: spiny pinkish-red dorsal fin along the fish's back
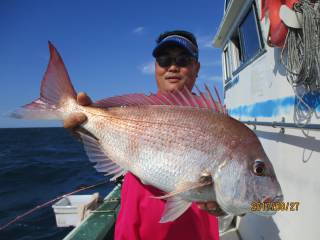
x=176, y=98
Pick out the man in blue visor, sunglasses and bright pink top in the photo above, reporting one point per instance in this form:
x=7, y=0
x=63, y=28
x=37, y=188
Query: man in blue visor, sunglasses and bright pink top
x=176, y=67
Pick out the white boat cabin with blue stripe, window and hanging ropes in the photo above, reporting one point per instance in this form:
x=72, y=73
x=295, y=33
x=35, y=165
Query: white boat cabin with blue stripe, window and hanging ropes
x=270, y=63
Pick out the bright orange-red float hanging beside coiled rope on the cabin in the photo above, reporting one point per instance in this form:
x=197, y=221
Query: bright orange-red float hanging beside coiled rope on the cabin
x=277, y=30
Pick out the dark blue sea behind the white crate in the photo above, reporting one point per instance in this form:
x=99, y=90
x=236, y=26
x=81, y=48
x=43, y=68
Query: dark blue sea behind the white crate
x=37, y=165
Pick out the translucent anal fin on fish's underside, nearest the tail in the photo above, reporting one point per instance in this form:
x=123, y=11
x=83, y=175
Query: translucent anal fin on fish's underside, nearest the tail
x=96, y=155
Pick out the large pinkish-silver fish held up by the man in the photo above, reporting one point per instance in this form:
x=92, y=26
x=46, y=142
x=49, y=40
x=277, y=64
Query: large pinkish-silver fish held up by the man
x=183, y=144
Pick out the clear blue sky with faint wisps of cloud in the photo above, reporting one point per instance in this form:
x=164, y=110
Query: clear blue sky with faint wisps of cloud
x=106, y=46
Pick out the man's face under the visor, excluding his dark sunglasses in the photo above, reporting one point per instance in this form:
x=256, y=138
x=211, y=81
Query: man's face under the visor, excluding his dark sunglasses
x=175, y=77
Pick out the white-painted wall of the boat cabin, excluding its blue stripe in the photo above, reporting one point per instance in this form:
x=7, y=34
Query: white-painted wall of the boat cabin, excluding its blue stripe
x=295, y=156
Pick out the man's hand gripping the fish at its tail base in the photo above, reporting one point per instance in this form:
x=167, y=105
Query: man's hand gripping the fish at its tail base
x=76, y=119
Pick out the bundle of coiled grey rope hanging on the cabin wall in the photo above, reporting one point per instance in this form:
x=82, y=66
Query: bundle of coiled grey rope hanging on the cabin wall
x=300, y=56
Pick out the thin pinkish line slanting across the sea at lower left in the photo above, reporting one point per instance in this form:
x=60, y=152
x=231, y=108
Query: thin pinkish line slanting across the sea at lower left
x=47, y=203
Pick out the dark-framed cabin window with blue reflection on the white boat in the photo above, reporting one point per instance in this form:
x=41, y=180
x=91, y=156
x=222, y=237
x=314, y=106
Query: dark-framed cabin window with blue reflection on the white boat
x=244, y=45
